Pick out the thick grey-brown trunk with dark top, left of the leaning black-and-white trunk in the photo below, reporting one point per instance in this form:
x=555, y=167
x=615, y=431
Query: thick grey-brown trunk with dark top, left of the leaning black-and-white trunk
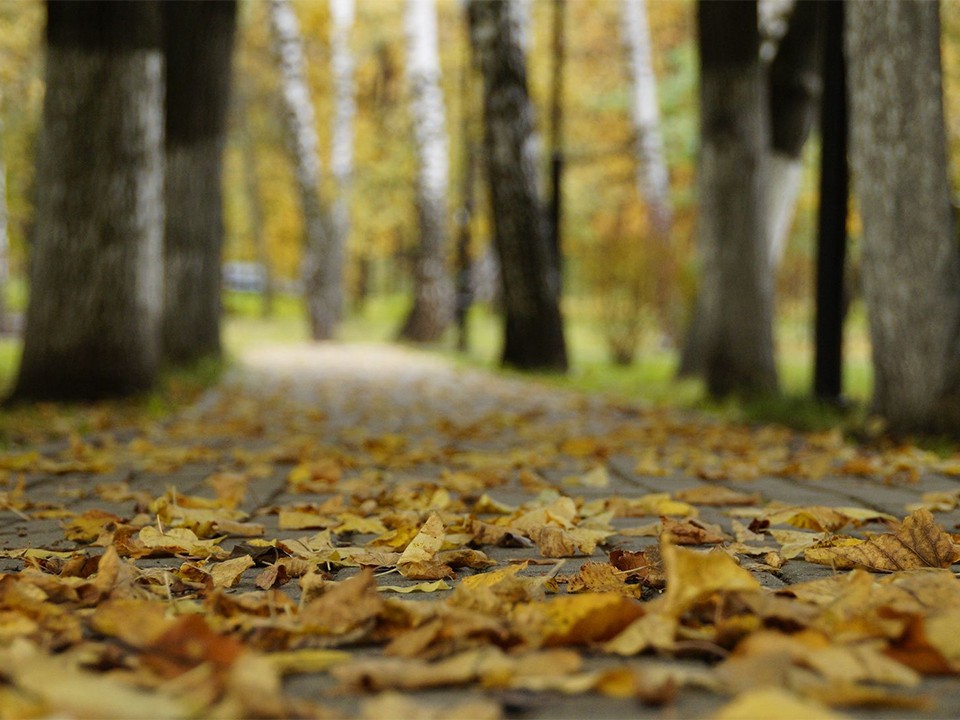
x=737, y=287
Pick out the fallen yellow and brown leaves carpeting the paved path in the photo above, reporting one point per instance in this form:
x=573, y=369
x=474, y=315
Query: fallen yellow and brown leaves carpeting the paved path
x=461, y=536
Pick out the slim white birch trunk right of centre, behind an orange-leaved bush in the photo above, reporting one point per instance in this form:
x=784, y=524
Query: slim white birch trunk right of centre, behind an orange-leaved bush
x=653, y=178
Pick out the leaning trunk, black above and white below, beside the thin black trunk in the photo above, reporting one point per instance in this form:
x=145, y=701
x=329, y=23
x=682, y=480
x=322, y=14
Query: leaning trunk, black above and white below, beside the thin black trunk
x=795, y=89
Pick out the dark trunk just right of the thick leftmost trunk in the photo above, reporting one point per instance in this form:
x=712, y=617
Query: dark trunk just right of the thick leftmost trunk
x=198, y=49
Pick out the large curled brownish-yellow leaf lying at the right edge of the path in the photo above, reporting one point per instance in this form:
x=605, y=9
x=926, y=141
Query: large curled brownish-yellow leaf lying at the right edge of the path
x=917, y=542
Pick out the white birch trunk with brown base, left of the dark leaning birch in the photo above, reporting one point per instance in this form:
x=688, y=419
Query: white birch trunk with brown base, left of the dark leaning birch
x=433, y=293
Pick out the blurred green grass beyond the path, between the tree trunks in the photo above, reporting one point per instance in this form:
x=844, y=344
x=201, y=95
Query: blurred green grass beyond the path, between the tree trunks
x=650, y=378
